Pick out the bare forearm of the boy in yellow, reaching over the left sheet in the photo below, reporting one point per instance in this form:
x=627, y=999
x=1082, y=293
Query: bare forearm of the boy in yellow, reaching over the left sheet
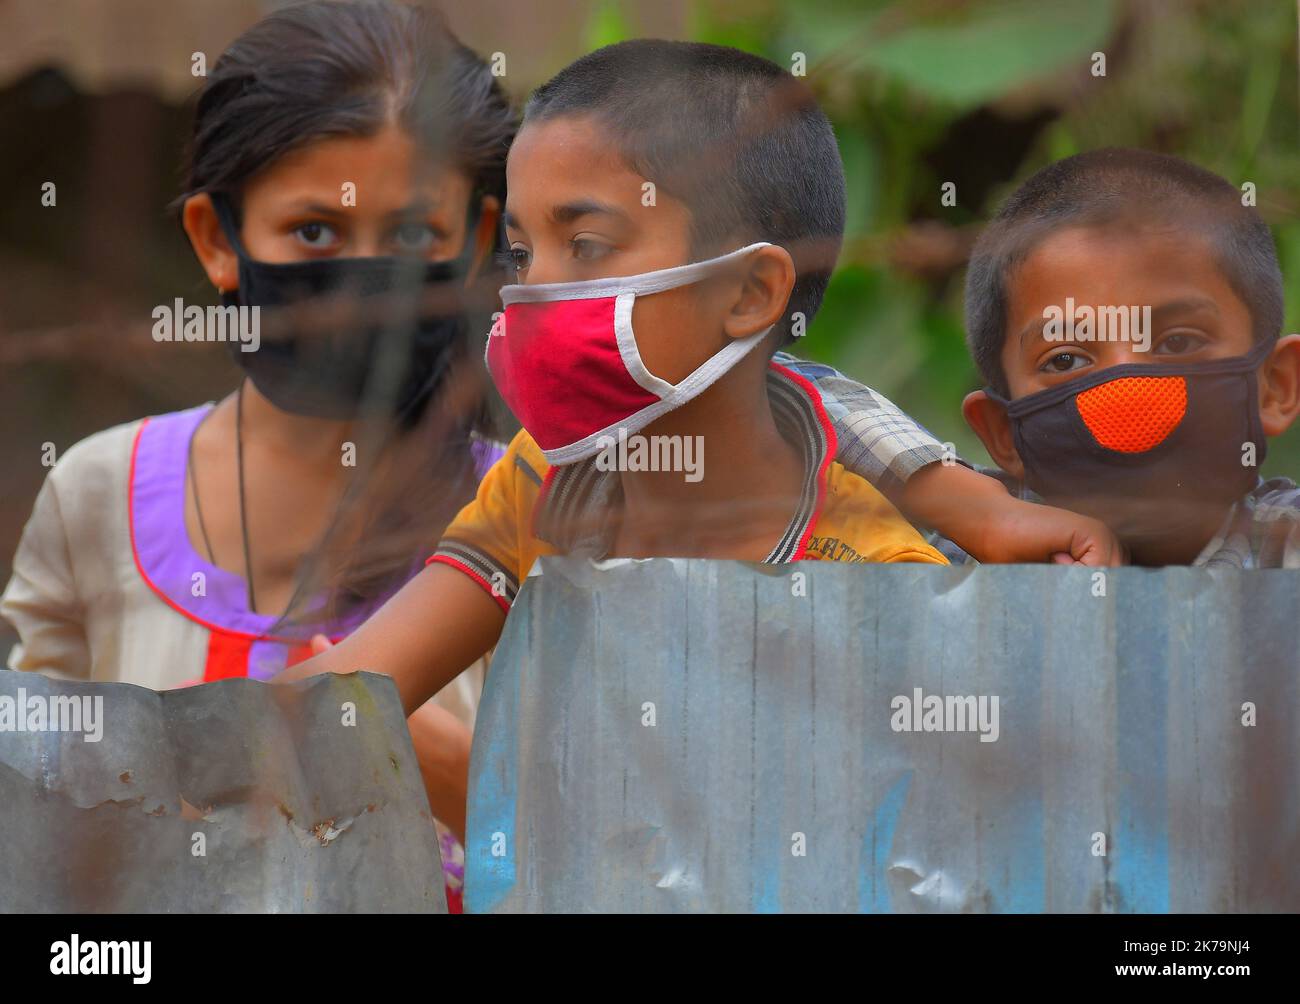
x=434, y=629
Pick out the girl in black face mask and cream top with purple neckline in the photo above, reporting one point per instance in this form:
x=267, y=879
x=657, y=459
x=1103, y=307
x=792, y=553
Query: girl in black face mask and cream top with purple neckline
x=346, y=175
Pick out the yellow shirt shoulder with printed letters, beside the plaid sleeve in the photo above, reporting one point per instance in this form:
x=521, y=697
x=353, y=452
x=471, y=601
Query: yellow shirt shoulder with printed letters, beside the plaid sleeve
x=860, y=525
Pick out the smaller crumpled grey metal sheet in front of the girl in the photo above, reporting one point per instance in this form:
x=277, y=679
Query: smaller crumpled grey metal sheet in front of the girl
x=298, y=811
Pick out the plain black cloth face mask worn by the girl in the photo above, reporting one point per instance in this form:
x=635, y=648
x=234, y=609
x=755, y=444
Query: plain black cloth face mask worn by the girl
x=387, y=365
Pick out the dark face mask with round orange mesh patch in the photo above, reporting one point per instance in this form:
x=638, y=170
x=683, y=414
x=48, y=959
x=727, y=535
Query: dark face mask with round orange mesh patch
x=1151, y=432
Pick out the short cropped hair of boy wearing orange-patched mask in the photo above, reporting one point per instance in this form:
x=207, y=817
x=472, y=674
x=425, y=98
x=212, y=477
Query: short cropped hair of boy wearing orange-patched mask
x=1121, y=191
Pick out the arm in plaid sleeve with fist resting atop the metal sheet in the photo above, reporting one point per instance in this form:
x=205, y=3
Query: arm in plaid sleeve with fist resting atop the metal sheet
x=882, y=444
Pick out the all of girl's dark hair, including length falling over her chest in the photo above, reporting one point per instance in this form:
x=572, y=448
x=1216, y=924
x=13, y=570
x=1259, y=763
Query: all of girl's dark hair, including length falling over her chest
x=349, y=68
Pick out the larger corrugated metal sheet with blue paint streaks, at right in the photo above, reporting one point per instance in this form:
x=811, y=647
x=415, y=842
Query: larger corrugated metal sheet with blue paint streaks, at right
x=1123, y=778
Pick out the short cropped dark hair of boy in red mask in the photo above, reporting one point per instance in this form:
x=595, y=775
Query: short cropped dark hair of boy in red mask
x=733, y=136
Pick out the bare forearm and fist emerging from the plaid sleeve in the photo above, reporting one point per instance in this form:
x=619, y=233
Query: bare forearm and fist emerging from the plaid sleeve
x=977, y=514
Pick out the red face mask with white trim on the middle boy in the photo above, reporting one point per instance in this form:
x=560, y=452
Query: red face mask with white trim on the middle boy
x=565, y=358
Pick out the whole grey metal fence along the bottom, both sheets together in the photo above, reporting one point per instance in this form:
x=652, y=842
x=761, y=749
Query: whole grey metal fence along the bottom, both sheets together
x=674, y=735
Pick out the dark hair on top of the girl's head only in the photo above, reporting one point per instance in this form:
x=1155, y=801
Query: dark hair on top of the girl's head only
x=332, y=68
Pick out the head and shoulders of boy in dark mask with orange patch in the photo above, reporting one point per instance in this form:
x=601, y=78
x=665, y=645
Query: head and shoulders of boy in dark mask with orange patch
x=1159, y=432
